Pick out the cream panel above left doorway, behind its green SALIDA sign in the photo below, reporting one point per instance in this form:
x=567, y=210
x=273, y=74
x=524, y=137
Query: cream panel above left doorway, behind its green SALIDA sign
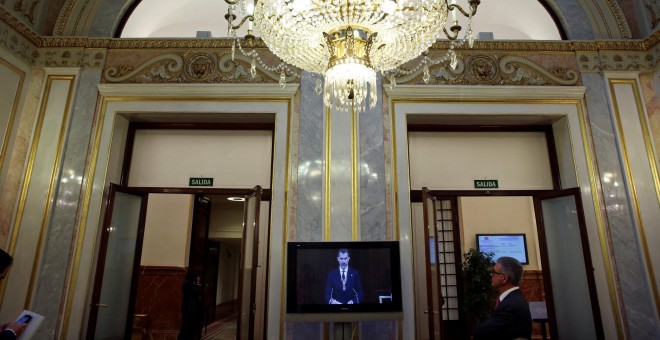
x=234, y=159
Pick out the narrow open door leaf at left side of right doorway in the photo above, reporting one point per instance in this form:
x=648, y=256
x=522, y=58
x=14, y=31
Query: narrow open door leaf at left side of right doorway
x=434, y=294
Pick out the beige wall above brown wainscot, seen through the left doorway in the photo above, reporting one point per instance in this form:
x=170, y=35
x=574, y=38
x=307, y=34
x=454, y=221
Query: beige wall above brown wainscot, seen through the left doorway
x=167, y=230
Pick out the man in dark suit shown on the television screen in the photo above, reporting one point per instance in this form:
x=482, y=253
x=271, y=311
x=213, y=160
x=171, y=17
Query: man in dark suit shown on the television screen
x=343, y=285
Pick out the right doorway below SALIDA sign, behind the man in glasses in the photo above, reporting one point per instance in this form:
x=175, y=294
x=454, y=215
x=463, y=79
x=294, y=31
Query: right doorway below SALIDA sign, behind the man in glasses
x=556, y=240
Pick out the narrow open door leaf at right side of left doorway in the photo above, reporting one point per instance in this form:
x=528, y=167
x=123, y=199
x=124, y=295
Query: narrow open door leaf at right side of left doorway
x=247, y=280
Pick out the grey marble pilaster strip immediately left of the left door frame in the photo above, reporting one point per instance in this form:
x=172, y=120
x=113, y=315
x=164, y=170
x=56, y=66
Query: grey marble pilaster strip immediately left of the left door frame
x=51, y=289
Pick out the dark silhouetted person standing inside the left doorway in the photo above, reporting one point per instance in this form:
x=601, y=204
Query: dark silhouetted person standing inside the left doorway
x=191, y=307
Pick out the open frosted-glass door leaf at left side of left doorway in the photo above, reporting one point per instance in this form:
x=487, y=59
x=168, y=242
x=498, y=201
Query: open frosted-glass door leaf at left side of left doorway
x=113, y=297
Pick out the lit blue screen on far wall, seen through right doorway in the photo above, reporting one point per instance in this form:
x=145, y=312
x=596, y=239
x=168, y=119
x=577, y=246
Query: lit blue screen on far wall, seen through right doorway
x=512, y=245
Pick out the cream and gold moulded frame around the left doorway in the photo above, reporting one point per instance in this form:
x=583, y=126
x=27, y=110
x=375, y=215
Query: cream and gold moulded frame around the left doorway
x=120, y=104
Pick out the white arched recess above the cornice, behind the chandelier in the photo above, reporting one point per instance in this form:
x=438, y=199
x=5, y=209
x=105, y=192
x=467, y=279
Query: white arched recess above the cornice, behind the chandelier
x=507, y=20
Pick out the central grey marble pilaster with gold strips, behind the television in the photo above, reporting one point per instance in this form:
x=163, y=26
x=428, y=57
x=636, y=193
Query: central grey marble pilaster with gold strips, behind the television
x=340, y=186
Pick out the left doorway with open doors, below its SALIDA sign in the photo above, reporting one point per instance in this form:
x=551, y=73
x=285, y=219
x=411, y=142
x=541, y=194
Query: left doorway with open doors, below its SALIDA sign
x=152, y=303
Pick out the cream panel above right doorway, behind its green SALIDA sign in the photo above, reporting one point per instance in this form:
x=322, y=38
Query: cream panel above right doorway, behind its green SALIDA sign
x=519, y=160
